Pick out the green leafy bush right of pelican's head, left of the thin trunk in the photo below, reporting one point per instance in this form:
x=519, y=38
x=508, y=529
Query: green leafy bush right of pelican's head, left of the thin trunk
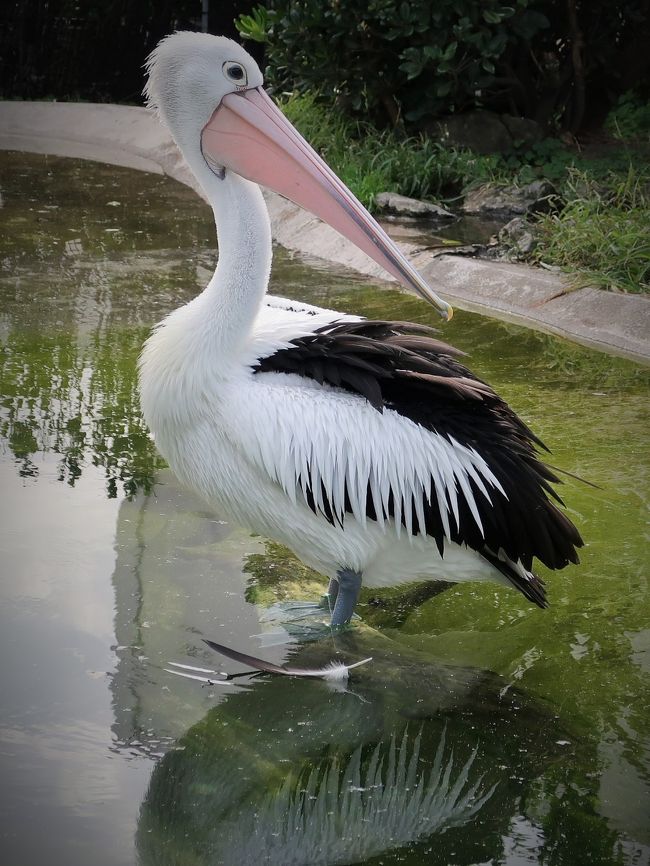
x=413, y=59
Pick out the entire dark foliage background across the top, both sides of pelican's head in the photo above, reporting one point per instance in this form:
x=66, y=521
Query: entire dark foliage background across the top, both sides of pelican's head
x=561, y=62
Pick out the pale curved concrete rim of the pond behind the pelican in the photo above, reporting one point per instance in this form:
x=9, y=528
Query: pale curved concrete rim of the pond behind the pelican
x=131, y=137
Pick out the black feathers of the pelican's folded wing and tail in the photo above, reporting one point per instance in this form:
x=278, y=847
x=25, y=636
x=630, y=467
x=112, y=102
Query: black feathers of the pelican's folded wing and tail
x=403, y=367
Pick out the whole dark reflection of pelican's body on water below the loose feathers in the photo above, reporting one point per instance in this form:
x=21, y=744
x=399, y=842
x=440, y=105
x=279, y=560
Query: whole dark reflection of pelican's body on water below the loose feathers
x=414, y=762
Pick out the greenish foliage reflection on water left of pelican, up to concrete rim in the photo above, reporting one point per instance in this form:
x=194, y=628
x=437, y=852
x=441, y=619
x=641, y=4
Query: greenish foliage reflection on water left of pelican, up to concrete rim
x=84, y=271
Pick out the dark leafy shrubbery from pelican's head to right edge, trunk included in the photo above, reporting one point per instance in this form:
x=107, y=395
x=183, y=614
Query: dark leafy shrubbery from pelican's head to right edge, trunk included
x=559, y=62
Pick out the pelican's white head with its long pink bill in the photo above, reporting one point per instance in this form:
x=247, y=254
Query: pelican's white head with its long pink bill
x=208, y=91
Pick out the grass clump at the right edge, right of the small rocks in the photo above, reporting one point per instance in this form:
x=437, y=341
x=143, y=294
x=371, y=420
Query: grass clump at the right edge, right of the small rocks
x=602, y=235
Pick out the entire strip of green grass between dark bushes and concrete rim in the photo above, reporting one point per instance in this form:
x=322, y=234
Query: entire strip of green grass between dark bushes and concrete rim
x=601, y=236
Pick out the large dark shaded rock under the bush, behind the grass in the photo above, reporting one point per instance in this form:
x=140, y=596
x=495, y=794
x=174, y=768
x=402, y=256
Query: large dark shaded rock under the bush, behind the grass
x=485, y=131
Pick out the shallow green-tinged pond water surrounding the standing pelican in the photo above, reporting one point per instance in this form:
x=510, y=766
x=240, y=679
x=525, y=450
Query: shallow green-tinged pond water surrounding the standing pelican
x=484, y=731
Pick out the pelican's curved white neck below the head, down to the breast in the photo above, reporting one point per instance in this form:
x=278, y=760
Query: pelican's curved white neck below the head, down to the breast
x=202, y=342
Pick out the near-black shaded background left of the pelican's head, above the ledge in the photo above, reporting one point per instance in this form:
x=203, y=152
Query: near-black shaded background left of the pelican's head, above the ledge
x=64, y=49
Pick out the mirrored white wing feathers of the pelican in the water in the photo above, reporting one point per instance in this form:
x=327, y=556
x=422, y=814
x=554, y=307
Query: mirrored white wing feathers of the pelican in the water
x=337, y=814
